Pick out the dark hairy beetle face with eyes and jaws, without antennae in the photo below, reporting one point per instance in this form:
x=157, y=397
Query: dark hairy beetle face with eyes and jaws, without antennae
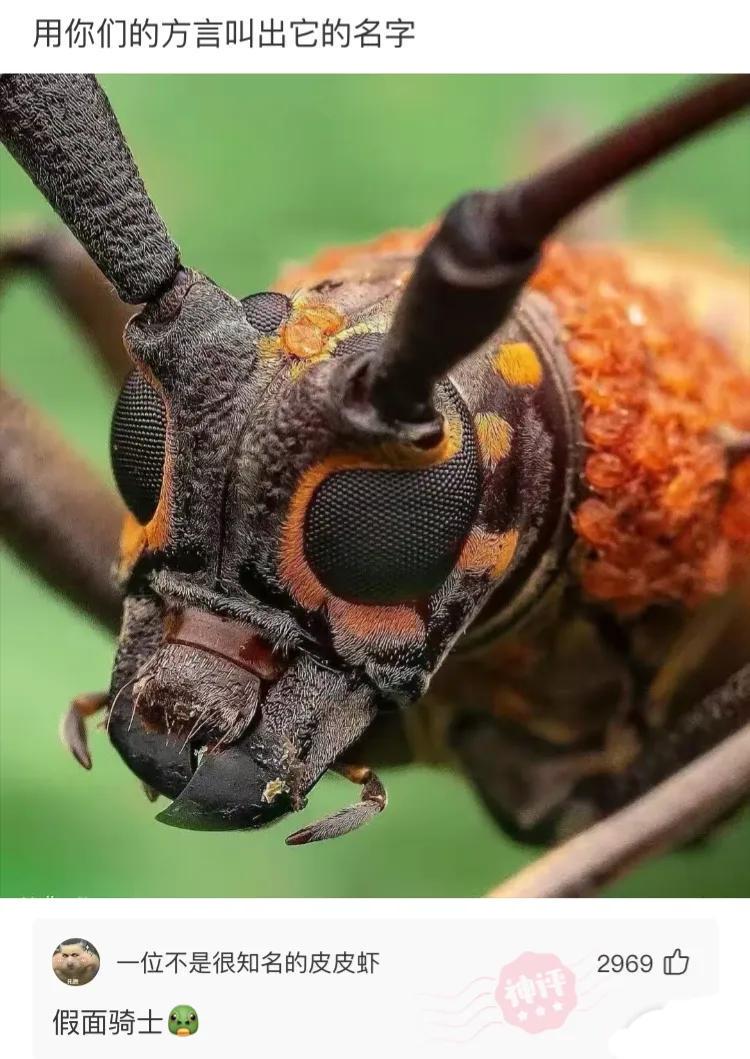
x=285, y=580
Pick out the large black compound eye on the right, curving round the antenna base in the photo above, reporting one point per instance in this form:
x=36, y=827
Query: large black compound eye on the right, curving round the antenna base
x=391, y=535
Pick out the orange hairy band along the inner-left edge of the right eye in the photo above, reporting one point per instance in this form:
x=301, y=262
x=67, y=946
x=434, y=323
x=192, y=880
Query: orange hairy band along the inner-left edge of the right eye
x=293, y=565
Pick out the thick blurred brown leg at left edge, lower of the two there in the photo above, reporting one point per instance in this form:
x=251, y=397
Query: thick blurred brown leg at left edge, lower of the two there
x=56, y=513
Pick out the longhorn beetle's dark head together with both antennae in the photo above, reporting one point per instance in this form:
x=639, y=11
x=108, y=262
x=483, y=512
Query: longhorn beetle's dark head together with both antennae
x=311, y=527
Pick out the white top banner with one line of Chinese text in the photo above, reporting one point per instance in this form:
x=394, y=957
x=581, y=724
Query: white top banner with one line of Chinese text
x=377, y=37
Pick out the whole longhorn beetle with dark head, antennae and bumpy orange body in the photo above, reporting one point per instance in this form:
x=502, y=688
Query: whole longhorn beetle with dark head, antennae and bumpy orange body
x=463, y=494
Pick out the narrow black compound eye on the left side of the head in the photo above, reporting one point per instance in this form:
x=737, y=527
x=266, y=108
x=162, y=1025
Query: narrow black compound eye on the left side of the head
x=137, y=446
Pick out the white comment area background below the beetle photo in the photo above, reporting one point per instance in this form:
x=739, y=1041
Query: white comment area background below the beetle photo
x=708, y=1012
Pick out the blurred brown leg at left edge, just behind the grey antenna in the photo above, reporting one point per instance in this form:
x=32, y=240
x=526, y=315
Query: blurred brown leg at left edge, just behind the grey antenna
x=78, y=286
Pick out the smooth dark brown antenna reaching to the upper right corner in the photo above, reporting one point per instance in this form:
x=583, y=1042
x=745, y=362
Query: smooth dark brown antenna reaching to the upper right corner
x=470, y=275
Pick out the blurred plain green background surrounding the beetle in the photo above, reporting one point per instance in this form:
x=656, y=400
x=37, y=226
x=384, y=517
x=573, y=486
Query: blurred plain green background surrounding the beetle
x=251, y=172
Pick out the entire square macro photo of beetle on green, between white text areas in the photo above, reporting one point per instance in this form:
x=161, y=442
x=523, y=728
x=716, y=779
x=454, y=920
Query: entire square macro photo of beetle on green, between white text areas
x=337, y=492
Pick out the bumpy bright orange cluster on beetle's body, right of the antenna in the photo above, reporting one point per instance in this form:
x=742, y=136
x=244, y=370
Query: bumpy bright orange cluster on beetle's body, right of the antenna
x=666, y=519
